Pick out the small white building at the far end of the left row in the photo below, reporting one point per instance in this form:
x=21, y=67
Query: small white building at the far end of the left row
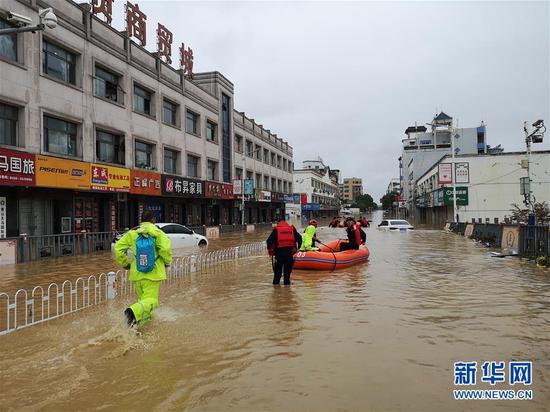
x=317, y=186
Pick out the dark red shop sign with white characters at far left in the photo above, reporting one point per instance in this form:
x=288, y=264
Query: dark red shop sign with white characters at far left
x=17, y=168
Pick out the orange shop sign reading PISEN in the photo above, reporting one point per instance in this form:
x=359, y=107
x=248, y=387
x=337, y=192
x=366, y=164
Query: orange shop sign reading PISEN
x=62, y=173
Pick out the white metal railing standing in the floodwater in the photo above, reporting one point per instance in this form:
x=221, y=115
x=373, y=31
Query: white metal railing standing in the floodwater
x=26, y=308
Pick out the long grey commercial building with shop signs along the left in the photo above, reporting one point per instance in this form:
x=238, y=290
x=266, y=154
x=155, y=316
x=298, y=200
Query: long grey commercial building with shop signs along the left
x=95, y=129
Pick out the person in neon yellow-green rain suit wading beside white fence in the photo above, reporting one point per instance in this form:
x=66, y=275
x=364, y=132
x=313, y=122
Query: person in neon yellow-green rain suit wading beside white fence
x=147, y=284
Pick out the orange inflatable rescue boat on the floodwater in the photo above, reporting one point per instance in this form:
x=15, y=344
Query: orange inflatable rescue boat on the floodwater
x=330, y=257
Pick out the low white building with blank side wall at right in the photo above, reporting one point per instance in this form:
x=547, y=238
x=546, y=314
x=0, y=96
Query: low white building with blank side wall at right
x=486, y=184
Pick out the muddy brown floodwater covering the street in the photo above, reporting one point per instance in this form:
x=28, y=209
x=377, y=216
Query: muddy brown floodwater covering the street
x=377, y=337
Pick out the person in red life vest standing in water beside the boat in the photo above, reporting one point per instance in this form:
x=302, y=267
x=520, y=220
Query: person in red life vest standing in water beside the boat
x=282, y=243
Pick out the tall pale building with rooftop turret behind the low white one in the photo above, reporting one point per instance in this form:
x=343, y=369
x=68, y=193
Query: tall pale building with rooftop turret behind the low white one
x=421, y=149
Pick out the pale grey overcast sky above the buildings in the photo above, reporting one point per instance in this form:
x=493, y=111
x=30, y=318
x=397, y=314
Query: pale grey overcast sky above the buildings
x=343, y=80
